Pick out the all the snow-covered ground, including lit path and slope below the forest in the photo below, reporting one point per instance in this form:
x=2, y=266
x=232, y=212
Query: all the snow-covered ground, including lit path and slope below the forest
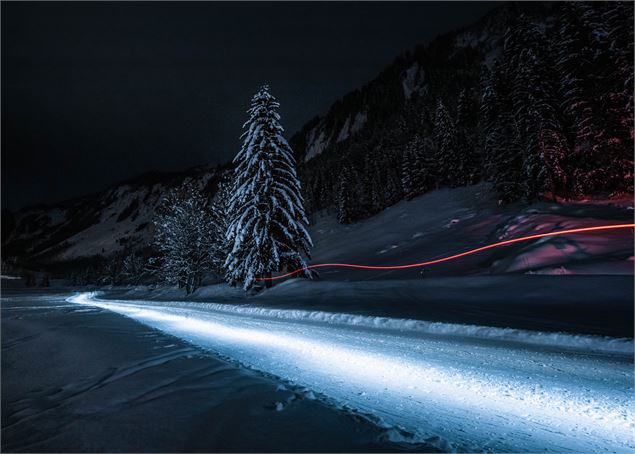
x=528, y=347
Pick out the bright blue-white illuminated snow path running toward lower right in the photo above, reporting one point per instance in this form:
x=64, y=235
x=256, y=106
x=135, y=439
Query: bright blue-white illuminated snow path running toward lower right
x=460, y=391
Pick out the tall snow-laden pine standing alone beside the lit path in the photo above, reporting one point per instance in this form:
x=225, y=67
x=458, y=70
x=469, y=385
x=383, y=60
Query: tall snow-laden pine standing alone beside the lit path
x=267, y=231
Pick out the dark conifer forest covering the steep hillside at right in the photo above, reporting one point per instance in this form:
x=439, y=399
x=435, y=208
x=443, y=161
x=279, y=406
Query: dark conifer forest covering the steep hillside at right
x=550, y=116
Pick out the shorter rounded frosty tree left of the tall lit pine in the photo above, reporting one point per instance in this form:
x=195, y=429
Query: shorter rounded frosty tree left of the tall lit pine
x=185, y=237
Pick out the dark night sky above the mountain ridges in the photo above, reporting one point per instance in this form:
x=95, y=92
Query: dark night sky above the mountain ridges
x=93, y=93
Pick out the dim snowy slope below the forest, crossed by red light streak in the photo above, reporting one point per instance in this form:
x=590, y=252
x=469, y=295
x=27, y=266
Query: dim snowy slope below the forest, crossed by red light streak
x=448, y=221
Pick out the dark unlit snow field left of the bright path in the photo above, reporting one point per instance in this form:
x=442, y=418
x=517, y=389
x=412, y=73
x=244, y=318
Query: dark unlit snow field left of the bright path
x=82, y=379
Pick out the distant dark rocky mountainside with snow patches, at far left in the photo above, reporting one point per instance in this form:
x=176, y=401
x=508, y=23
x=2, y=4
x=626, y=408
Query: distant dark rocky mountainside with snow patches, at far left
x=117, y=219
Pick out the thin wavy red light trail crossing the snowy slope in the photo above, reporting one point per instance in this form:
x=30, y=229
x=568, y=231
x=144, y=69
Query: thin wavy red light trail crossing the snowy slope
x=455, y=256
